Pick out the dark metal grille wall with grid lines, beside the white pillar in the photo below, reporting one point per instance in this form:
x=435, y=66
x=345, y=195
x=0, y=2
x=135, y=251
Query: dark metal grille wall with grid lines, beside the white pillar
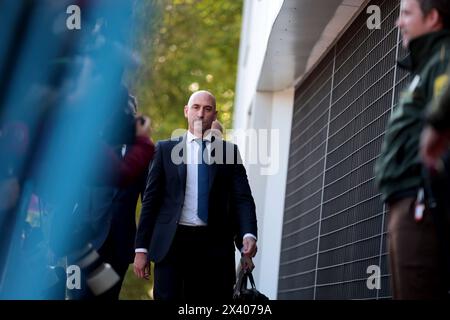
x=334, y=221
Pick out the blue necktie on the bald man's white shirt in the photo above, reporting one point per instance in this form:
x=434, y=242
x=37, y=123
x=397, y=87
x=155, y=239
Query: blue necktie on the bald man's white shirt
x=203, y=184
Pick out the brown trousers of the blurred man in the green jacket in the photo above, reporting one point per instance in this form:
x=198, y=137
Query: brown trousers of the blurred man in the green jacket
x=416, y=268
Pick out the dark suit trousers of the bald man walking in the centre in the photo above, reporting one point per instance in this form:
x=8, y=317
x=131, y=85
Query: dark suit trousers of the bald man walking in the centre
x=196, y=268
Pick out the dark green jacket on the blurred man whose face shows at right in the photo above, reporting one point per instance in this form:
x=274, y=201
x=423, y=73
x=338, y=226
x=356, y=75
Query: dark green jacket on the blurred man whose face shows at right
x=398, y=169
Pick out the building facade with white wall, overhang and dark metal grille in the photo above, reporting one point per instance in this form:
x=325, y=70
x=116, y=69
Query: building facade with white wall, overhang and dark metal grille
x=325, y=79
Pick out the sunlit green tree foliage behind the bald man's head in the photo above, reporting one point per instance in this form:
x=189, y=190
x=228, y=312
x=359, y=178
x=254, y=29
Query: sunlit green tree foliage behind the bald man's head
x=185, y=45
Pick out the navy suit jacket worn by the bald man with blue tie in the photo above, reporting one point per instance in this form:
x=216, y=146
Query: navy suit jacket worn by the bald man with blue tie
x=231, y=205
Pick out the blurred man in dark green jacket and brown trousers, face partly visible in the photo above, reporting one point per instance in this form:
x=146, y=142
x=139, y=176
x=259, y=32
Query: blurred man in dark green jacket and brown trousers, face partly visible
x=412, y=241
